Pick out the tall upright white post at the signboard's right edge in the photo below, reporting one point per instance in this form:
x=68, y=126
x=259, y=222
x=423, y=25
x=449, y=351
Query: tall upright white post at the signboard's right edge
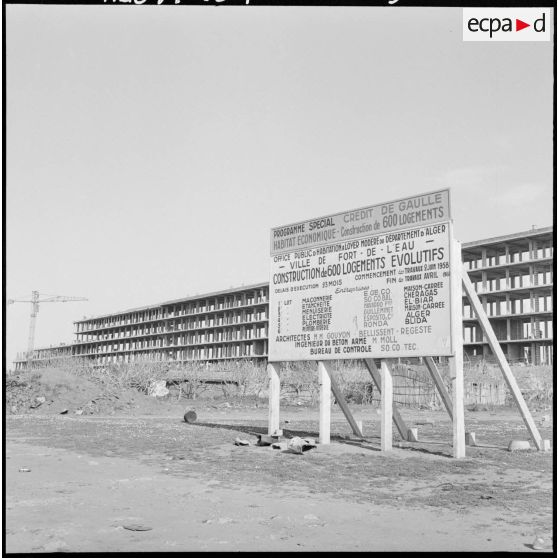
x=456, y=361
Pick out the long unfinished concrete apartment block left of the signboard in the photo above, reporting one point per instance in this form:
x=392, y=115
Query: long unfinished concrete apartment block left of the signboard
x=229, y=324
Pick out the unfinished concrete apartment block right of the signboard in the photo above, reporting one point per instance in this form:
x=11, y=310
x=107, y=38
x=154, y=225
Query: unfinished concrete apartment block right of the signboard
x=513, y=276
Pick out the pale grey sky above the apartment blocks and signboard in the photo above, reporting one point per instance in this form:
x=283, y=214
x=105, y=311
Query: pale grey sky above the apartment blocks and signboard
x=150, y=149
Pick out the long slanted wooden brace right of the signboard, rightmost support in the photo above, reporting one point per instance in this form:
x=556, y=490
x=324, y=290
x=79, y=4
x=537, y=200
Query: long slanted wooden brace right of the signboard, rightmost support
x=502, y=362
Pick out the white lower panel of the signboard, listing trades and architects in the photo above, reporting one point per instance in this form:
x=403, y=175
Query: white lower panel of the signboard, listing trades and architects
x=379, y=296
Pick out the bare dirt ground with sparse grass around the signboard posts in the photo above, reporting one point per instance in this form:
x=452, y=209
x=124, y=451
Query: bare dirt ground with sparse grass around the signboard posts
x=94, y=480
